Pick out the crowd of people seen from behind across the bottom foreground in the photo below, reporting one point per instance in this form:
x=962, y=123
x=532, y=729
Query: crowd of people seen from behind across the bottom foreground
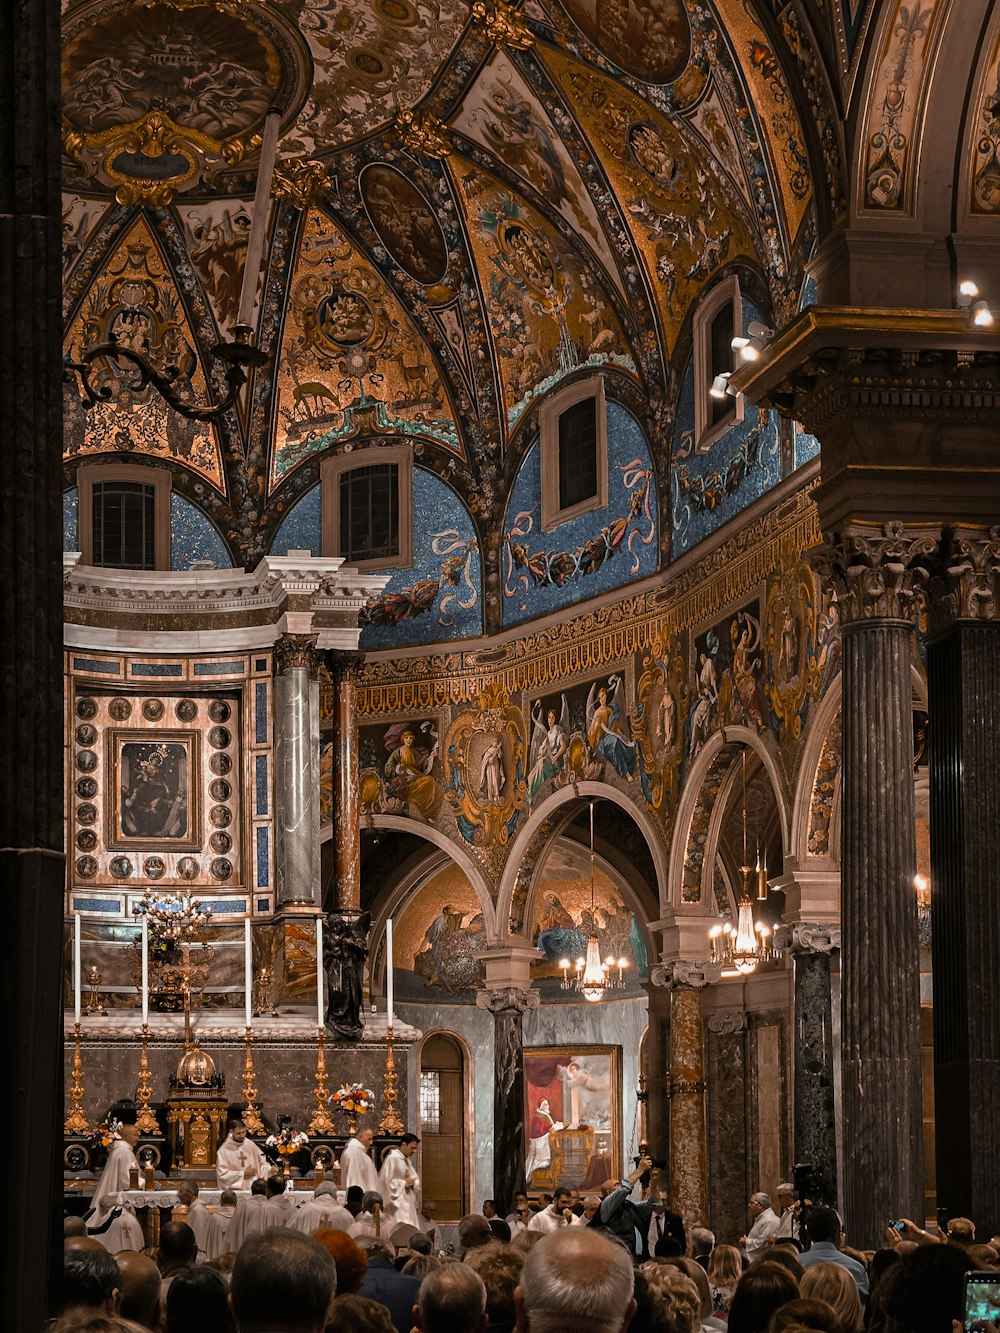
x=557, y=1264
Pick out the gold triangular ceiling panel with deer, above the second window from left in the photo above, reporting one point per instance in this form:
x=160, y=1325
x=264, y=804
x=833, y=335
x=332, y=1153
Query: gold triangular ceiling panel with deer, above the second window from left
x=351, y=358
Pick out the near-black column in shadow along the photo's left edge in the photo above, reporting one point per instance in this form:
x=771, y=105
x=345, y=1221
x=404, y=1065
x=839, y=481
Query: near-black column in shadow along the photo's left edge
x=33, y=864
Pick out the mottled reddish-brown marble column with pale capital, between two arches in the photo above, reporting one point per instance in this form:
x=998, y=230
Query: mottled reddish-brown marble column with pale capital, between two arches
x=686, y=1087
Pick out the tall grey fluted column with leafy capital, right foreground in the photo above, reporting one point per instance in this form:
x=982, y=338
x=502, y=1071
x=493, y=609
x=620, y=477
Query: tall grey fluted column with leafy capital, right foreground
x=878, y=573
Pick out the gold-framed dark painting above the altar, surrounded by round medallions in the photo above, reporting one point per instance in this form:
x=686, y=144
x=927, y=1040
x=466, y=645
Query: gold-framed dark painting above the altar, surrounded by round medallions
x=155, y=790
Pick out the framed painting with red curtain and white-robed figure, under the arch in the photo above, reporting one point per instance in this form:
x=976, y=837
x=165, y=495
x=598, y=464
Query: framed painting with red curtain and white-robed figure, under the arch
x=573, y=1112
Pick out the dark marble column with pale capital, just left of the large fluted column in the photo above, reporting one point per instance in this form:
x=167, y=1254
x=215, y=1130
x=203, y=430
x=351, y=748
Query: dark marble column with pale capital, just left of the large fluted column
x=814, y=1122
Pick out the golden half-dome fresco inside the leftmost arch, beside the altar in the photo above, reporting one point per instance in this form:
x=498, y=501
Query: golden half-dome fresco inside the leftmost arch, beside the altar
x=435, y=942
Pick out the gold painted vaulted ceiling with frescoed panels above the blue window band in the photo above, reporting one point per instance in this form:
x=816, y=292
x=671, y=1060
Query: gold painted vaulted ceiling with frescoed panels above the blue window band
x=473, y=203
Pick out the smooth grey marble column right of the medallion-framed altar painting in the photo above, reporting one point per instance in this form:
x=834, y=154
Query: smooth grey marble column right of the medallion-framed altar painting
x=298, y=763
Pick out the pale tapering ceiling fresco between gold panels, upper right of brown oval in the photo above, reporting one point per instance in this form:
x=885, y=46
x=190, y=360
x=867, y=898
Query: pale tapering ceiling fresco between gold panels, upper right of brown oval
x=503, y=115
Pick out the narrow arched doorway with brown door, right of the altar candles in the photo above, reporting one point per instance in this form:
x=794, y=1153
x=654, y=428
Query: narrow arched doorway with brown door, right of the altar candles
x=443, y=1126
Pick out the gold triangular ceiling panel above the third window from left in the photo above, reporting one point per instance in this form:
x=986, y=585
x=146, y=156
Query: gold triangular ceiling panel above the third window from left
x=550, y=313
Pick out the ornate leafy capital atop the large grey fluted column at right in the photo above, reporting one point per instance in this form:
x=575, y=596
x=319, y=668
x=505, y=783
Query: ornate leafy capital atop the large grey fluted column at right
x=877, y=571
